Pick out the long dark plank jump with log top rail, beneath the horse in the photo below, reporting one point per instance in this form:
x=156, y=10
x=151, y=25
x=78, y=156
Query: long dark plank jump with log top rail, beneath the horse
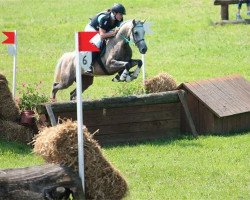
x=126, y=119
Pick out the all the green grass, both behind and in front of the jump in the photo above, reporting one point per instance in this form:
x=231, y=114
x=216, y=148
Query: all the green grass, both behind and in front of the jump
x=186, y=45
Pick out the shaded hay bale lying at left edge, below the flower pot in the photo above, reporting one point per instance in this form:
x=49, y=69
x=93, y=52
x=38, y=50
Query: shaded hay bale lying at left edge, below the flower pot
x=12, y=131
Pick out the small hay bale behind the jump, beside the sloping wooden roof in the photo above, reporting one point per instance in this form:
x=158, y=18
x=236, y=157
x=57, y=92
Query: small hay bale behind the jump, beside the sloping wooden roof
x=160, y=83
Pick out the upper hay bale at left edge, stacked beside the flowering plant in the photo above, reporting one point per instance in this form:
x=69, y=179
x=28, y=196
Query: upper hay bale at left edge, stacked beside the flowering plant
x=9, y=110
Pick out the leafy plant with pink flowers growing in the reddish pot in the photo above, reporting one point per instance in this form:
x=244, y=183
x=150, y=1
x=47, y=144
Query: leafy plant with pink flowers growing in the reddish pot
x=30, y=96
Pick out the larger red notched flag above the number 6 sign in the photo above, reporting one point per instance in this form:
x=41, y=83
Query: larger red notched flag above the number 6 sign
x=84, y=41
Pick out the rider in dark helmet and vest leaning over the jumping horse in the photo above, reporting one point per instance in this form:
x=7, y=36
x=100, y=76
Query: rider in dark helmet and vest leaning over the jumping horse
x=106, y=23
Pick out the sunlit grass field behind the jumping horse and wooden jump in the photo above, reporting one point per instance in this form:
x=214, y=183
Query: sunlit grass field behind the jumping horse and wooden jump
x=185, y=44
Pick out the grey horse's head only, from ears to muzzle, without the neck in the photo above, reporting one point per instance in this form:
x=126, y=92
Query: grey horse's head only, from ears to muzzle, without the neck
x=137, y=35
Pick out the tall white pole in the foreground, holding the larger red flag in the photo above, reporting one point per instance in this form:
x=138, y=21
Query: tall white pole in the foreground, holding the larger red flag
x=79, y=115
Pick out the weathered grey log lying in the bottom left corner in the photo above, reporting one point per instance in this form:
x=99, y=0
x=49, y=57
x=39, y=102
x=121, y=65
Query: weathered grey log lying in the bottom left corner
x=40, y=182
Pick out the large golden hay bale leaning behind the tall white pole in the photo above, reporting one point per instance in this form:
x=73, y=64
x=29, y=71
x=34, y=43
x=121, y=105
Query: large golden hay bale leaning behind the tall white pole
x=59, y=145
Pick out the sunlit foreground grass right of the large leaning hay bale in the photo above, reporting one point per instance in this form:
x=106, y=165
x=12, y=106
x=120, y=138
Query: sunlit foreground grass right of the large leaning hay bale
x=210, y=167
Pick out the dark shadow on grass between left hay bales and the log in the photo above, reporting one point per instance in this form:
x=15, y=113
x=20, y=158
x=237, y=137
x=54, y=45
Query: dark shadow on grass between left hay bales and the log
x=15, y=147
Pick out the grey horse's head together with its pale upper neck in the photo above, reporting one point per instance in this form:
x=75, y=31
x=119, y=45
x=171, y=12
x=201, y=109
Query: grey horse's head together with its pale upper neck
x=134, y=31
